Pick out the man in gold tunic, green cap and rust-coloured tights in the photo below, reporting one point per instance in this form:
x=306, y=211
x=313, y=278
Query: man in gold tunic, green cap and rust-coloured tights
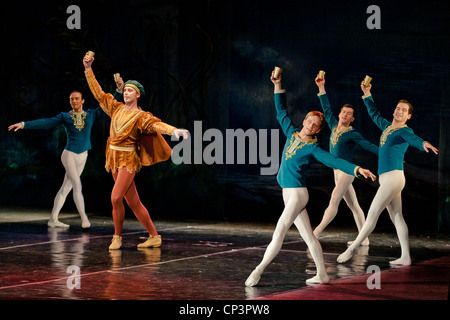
x=126, y=151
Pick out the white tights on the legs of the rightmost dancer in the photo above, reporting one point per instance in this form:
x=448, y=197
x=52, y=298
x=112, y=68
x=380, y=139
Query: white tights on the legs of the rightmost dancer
x=389, y=196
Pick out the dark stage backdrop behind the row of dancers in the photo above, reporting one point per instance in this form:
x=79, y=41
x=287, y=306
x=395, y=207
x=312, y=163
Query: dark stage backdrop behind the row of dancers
x=210, y=61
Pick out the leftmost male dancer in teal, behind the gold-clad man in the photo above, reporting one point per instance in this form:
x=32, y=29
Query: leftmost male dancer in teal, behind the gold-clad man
x=78, y=124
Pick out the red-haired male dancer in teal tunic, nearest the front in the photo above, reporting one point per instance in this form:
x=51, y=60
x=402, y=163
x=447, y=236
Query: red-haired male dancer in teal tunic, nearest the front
x=299, y=151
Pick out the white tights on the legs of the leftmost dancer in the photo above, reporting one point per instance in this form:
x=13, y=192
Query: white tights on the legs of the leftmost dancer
x=74, y=165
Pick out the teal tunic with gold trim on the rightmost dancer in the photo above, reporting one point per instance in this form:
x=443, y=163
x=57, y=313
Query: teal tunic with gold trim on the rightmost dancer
x=393, y=142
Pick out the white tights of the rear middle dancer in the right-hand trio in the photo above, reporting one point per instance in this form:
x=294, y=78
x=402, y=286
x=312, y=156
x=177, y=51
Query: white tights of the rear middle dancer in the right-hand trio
x=343, y=189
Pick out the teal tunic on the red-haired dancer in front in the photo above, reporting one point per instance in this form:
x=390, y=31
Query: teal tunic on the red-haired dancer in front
x=299, y=153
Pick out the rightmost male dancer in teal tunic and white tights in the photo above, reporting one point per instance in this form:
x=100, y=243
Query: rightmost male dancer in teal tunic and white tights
x=394, y=142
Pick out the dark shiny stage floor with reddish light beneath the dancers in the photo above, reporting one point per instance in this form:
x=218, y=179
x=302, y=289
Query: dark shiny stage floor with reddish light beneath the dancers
x=202, y=261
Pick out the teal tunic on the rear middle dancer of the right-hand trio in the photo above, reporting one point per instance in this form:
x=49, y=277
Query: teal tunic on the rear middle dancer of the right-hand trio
x=343, y=143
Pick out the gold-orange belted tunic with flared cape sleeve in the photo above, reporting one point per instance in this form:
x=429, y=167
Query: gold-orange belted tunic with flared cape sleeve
x=134, y=137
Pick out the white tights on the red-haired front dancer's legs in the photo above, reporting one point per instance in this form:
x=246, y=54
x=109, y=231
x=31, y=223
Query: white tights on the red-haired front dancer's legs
x=295, y=200
